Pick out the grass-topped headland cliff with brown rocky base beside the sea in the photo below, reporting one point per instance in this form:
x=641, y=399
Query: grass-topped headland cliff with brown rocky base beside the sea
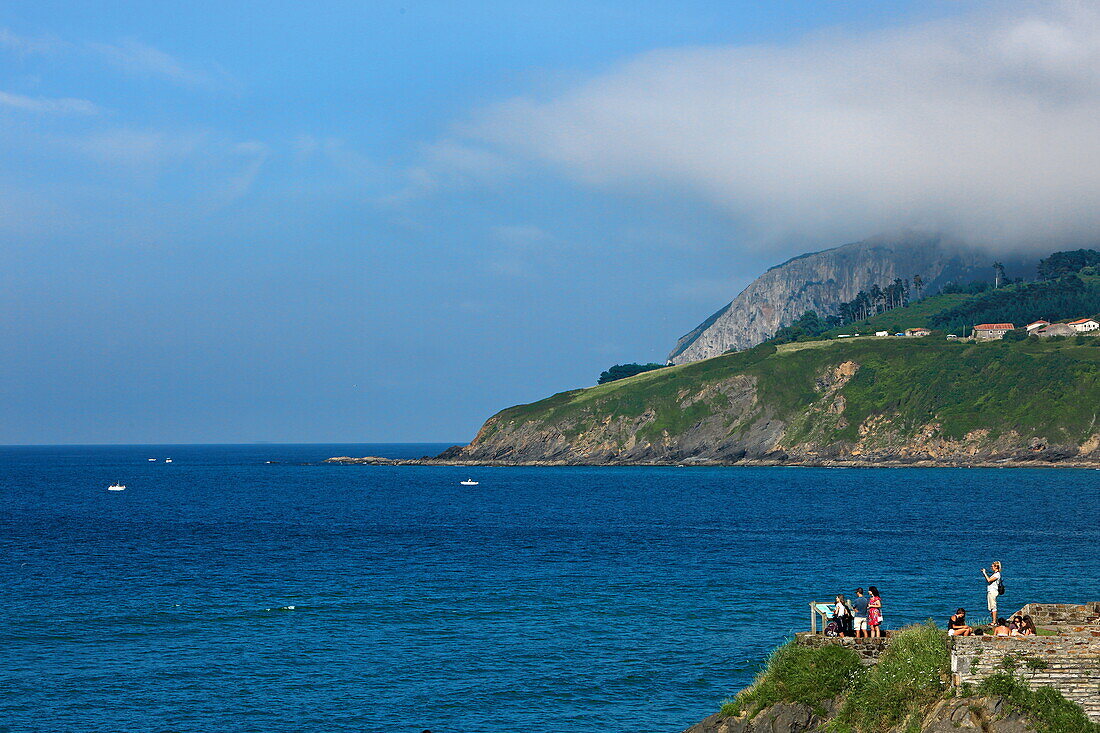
x=855, y=401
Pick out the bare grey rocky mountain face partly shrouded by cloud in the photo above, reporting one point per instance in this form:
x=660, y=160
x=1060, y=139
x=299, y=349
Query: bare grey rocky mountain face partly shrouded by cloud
x=822, y=281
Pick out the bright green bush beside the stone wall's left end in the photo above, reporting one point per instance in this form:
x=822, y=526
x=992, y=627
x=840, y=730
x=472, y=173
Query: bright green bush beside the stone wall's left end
x=911, y=675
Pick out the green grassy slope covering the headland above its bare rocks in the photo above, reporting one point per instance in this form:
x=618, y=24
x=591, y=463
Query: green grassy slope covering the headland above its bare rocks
x=1048, y=388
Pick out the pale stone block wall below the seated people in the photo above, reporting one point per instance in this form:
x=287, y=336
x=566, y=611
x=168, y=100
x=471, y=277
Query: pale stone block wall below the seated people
x=1070, y=664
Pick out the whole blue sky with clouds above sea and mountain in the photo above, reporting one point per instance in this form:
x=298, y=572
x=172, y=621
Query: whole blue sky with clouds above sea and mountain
x=384, y=222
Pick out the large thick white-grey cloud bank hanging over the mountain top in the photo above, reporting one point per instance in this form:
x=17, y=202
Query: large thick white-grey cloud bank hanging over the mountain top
x=982, y=126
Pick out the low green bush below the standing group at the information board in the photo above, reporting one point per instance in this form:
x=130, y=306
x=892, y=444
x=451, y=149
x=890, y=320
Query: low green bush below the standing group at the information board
x=800, y=674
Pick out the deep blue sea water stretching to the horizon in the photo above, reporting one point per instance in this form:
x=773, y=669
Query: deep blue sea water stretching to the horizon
x=223, y=593
